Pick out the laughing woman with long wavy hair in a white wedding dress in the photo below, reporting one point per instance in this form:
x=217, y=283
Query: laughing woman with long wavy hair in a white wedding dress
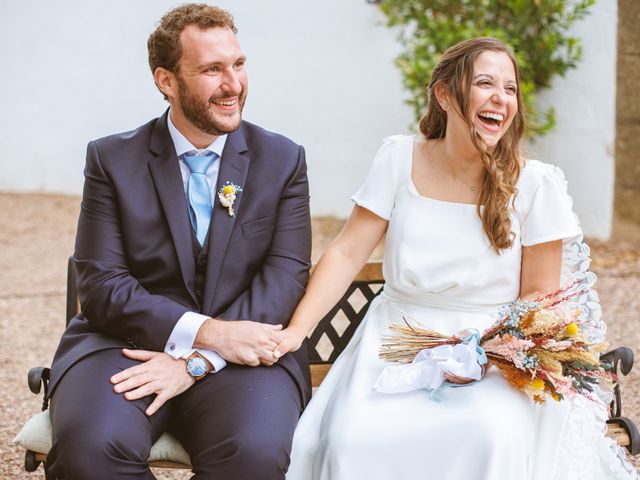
x=470, y=226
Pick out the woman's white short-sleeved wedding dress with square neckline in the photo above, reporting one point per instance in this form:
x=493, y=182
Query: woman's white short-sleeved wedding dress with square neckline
x=441, y=271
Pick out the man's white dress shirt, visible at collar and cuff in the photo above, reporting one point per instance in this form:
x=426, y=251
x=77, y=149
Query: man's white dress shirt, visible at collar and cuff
x=180, y=343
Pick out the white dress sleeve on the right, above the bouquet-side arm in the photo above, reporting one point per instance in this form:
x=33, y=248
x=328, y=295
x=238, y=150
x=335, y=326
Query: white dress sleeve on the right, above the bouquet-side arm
x=550, y=215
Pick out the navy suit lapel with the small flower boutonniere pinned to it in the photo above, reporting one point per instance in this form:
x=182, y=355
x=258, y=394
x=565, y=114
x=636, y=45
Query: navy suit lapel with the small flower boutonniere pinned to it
x=233, y=168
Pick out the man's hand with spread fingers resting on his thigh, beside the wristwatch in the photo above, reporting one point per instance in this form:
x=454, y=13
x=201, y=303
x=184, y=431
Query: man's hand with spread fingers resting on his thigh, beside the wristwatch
x=159, y=374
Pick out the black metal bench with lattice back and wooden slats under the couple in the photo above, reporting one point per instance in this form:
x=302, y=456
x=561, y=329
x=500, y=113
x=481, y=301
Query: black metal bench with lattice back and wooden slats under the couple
x=328, y=340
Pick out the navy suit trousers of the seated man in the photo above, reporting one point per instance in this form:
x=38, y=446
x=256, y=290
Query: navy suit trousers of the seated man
x=236, y=424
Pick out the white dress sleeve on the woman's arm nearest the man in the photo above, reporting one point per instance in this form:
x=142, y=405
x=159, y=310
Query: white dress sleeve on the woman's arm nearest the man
x=390, y=165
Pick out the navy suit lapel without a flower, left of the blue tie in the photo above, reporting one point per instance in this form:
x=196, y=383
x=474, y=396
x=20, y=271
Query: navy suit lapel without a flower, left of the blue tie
x=166, y=175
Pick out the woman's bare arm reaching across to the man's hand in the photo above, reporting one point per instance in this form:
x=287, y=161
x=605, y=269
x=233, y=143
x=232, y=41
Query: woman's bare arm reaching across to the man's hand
x=334, y=273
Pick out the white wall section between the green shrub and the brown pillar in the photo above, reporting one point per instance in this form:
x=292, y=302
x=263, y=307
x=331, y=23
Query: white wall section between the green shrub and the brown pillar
x=583, y=142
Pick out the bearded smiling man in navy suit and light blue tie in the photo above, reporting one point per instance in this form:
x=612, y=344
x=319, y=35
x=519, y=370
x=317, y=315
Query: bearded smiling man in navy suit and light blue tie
x=181, y=310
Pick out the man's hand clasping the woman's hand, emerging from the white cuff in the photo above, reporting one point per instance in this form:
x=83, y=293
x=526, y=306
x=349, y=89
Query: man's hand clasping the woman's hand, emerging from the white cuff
x=240, y=341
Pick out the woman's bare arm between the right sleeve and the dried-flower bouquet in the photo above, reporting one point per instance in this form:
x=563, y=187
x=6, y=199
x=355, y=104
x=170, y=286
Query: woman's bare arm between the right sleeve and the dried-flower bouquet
x=540, y=273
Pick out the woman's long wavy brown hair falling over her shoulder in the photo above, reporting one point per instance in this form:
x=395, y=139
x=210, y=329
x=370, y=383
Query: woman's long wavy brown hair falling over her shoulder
x=455, y=71
